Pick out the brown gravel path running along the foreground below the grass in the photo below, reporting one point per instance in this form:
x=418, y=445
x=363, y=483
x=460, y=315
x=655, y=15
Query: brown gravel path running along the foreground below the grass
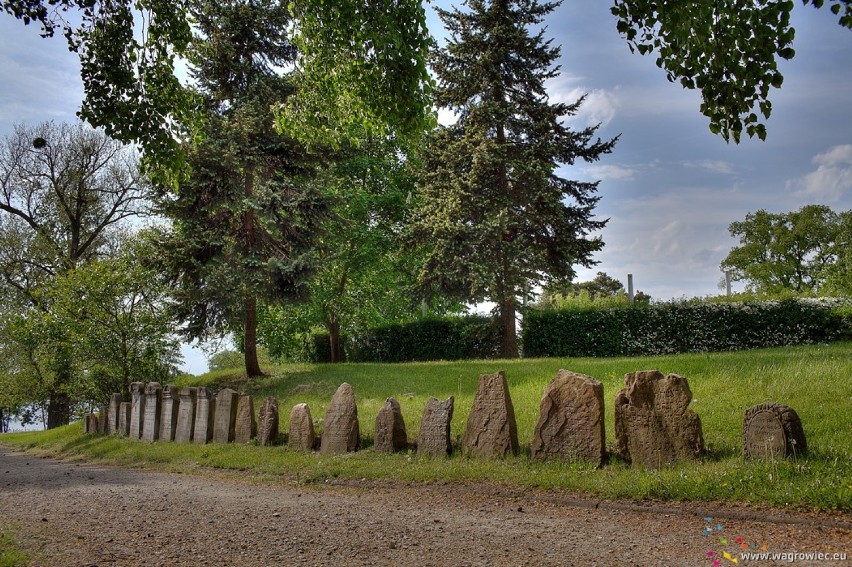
x=71, y=514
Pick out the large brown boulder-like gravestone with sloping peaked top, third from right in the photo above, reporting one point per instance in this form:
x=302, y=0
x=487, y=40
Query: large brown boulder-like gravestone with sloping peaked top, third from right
x=571, y=422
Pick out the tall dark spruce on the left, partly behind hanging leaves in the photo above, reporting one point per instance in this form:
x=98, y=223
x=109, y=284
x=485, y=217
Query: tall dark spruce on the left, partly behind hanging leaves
x=244, y=221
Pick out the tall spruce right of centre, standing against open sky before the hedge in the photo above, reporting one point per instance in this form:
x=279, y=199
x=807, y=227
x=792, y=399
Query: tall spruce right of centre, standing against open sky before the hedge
x=497, y=215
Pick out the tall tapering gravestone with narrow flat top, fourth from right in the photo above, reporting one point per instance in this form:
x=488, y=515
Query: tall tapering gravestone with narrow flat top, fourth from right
x=491, y=428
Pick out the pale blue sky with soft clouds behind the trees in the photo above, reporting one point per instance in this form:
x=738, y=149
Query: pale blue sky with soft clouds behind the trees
x=670, y=188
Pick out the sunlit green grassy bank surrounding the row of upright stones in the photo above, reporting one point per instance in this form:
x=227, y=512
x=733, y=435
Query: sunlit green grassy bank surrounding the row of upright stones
x=814, y=380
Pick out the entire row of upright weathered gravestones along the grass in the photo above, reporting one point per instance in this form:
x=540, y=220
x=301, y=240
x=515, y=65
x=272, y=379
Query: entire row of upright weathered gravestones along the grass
x=653, y=425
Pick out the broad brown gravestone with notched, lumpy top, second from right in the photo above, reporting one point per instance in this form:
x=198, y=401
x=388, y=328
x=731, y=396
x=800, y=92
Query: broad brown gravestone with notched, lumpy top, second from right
x=653, y=425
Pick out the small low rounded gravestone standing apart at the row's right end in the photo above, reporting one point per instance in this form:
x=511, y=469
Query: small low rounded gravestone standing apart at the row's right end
x=773, y=431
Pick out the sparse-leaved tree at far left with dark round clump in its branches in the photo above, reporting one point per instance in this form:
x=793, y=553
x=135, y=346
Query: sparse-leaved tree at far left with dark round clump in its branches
x=65, y=189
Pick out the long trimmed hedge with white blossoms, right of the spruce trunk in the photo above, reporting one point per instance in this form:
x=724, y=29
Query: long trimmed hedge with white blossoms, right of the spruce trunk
x=685, y=326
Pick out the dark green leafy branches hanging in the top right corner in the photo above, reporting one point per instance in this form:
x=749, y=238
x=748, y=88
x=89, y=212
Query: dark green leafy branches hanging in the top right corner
x=726, y=49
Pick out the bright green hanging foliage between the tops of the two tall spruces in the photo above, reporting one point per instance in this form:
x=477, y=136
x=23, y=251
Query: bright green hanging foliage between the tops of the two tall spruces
x=361, y=71
